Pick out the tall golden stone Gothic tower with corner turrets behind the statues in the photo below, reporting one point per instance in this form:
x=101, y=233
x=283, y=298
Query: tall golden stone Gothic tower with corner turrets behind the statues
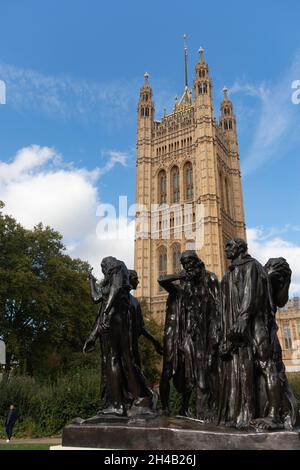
x=185, y=160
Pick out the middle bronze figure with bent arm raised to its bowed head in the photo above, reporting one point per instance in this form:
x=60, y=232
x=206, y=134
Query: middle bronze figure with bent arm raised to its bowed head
x=190, y=335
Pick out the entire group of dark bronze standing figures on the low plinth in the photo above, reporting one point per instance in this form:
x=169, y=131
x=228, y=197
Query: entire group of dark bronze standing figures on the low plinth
x=220, y=342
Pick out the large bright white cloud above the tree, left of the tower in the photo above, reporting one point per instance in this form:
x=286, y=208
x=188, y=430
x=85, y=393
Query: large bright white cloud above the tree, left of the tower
x=36, y=186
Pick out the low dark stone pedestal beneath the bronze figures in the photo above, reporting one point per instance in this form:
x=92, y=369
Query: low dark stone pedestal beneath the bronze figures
x=163, y=433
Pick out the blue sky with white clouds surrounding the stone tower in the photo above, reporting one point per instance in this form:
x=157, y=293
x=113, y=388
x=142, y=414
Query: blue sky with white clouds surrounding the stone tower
x=73, y=69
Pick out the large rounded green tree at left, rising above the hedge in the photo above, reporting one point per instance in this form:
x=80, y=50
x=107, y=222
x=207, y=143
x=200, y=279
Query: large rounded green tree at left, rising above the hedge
x=45, y=306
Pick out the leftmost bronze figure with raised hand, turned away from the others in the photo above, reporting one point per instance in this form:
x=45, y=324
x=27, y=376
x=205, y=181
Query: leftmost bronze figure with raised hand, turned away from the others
x=123, y=385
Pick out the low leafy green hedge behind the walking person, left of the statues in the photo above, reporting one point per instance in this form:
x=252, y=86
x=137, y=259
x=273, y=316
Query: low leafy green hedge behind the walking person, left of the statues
x=44, y=408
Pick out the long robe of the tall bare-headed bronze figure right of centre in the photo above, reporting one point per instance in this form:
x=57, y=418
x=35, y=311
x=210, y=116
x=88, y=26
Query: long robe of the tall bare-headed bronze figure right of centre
x=244, y=295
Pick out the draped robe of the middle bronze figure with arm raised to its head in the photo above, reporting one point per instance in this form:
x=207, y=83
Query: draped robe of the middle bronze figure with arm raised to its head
x=190, y=336
